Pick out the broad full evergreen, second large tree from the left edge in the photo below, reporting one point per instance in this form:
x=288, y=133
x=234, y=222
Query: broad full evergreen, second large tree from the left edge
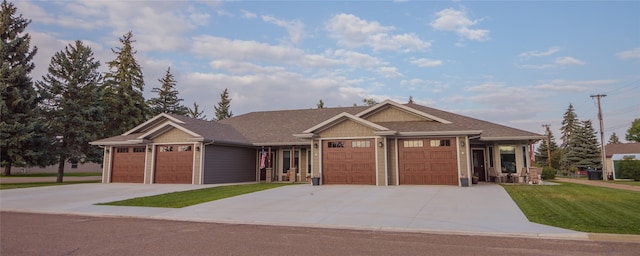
x=69, y=91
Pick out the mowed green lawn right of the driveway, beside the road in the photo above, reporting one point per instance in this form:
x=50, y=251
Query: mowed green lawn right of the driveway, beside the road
x=580, y=207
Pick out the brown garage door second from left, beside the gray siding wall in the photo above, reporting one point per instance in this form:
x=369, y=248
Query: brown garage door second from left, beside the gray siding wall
x=174, y=164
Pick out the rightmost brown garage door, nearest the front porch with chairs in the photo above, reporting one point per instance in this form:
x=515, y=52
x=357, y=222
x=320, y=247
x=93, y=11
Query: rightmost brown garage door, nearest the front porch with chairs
x=428, y=161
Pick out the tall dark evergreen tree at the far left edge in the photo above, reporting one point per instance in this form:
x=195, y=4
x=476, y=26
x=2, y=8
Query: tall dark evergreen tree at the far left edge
x=22, y=136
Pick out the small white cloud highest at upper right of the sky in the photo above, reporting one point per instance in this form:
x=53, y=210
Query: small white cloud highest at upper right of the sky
x=457, y=21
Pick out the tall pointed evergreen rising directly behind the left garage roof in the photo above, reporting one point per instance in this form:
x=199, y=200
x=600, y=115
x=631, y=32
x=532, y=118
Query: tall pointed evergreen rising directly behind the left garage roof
x=124, y=83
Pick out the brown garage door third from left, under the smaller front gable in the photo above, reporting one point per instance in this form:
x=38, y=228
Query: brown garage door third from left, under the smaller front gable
x=348, y=162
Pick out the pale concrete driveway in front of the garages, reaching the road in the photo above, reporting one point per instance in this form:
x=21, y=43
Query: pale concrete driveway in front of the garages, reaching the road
x=483, y=209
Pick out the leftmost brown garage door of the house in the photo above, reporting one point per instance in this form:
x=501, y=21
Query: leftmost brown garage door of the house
x=128, y=164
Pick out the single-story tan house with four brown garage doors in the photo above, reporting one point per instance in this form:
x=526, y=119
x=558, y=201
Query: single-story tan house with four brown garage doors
x=385, y=144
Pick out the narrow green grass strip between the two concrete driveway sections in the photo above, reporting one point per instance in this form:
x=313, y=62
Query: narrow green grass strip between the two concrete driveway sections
x=193, y=197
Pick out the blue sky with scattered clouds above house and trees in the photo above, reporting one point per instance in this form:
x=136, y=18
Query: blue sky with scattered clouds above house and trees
x=516, y=63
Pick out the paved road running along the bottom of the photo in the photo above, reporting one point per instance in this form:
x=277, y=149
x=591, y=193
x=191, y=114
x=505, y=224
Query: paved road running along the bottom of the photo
x=43, y=234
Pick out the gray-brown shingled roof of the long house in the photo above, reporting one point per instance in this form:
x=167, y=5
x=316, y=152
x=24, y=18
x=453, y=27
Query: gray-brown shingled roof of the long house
x=279, y=127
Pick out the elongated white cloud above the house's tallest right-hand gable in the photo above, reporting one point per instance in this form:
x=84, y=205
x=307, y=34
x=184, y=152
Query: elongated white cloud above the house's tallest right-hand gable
x=351, y=31
